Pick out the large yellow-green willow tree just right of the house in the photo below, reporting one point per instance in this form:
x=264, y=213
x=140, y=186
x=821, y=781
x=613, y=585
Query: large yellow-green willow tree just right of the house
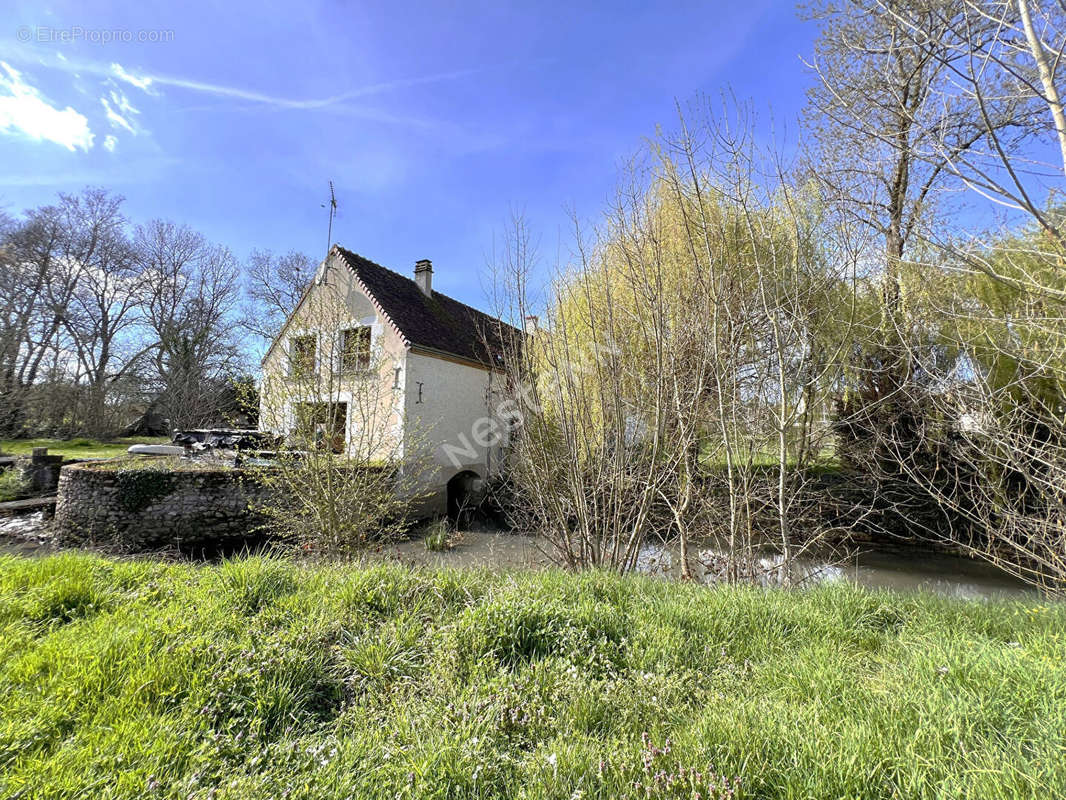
x=681, y=353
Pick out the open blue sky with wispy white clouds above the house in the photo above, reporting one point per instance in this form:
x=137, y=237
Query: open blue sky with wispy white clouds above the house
x=433, y=121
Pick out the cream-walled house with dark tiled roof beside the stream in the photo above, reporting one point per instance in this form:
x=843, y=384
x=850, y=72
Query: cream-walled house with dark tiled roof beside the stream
x=376, y=363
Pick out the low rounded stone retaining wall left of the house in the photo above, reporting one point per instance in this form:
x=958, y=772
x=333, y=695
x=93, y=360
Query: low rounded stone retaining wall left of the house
x=152, y=507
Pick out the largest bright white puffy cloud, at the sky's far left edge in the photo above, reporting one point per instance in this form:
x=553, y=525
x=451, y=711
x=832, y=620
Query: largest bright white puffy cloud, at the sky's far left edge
x=25, y=111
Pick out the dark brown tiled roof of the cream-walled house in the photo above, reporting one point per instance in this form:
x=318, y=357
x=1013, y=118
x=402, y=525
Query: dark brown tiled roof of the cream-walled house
x=439, y=323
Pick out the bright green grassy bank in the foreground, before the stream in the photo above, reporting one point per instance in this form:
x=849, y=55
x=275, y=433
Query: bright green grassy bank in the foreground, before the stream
x=267, y=679
